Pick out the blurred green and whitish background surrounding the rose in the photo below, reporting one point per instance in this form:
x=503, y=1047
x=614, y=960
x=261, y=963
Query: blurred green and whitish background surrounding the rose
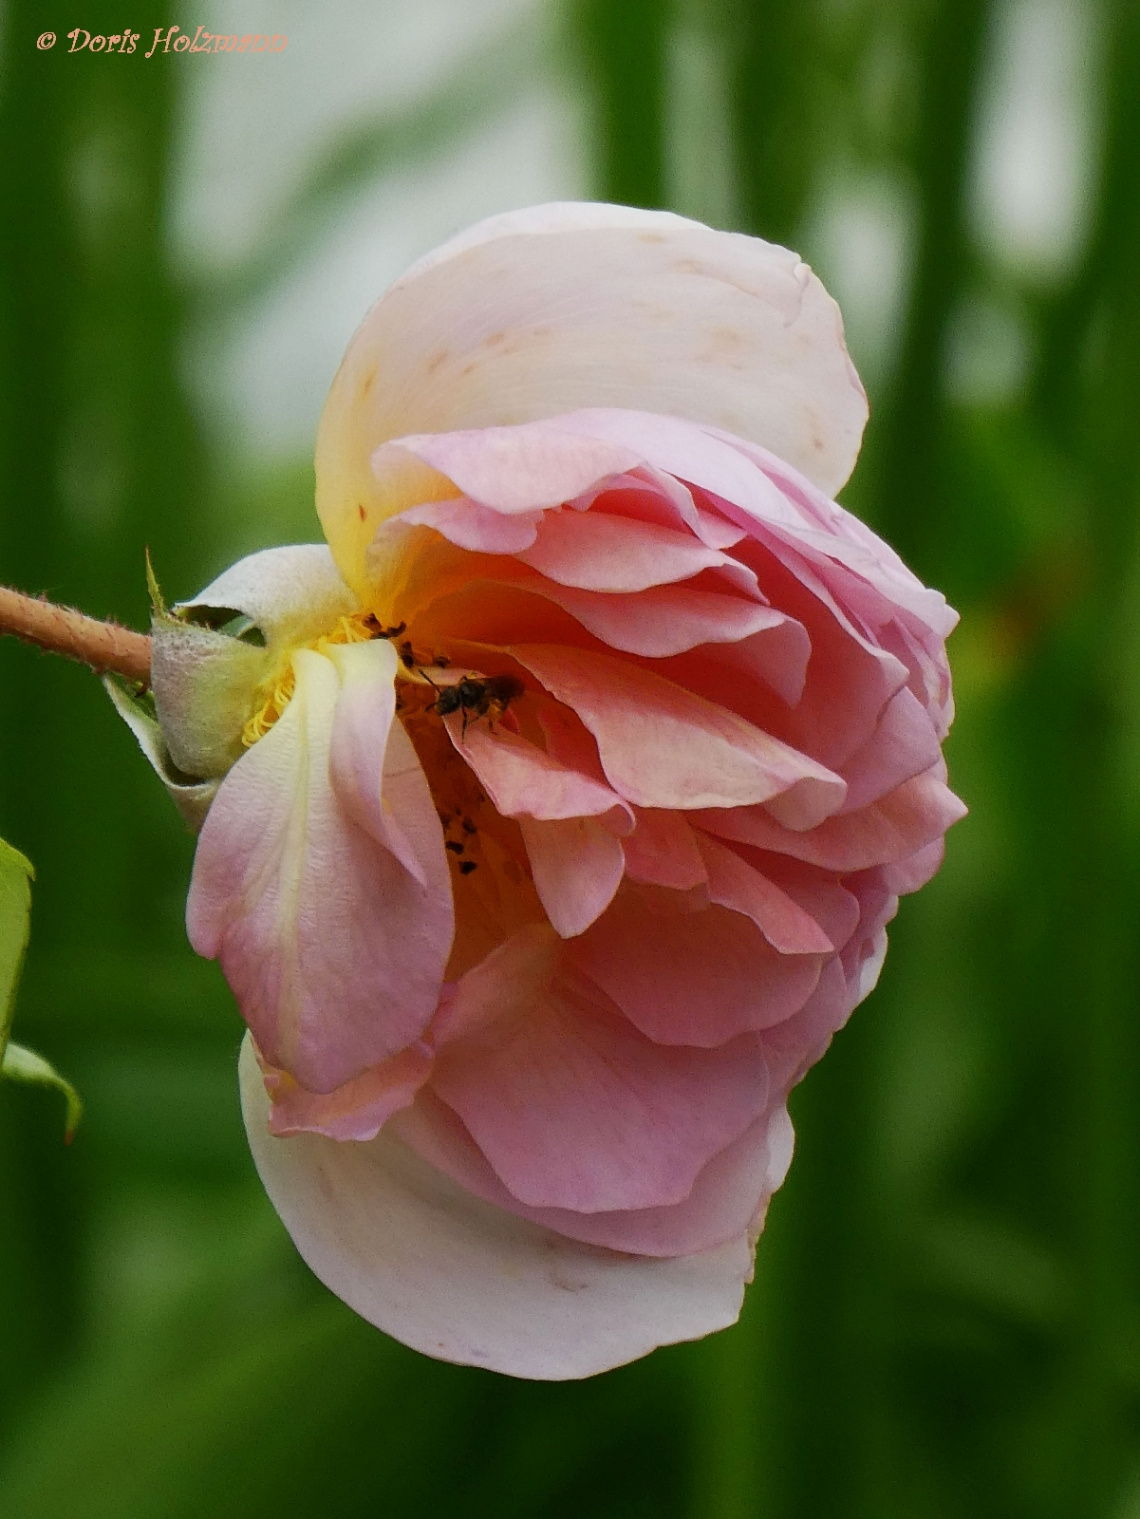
x=946, y=1319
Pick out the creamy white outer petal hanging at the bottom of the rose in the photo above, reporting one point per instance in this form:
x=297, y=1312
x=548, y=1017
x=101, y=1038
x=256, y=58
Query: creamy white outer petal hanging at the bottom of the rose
x=463, y=1281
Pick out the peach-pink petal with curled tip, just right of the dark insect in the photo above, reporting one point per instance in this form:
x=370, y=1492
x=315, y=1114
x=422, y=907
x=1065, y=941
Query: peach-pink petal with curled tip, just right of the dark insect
x=663, y=747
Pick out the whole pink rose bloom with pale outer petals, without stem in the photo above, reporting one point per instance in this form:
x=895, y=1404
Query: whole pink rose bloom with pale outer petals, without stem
x=577, y=789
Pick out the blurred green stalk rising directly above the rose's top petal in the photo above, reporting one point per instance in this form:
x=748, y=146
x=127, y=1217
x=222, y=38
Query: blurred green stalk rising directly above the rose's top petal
x=625, y=49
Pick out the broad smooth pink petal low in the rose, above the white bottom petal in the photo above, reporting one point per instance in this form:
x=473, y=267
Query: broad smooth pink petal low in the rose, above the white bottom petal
x=572, y=1107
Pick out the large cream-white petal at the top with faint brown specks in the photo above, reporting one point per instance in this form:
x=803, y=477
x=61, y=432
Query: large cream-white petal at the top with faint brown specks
x=584, y=306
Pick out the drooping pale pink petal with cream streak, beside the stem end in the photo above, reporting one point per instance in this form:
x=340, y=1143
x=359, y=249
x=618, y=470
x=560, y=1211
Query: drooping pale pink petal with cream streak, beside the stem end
x=334, y=950
